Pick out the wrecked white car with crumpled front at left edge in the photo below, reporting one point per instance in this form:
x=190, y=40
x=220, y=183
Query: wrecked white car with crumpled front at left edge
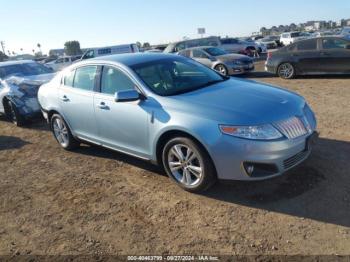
x=19, y=84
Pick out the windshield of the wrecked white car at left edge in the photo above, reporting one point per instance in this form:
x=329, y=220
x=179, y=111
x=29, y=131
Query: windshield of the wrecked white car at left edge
x=25, y=69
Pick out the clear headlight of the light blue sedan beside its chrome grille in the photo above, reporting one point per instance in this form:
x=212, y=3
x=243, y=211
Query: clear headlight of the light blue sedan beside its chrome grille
x=263, y=132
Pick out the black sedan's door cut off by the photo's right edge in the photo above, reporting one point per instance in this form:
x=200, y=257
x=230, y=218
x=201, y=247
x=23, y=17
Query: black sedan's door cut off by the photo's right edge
x=335, y=55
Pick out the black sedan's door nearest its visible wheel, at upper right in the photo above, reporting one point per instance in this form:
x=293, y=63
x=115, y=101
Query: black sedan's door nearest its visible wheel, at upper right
x=307, y=56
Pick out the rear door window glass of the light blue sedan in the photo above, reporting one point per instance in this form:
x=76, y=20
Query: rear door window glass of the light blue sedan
x=85, y=78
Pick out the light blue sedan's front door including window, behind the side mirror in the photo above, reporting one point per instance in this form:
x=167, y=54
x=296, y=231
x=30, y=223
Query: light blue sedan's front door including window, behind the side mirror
x=122, y=125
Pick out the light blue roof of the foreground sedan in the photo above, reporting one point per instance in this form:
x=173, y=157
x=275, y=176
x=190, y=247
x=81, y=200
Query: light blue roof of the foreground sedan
x=131, y=59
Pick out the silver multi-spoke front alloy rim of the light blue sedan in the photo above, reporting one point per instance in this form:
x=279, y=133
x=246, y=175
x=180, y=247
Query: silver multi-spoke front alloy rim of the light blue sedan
x=185, y=165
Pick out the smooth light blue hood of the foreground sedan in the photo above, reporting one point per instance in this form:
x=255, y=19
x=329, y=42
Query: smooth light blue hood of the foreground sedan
x=239, y=102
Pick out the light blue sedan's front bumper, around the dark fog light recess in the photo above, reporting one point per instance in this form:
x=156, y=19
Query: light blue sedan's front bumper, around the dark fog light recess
x=230, y=155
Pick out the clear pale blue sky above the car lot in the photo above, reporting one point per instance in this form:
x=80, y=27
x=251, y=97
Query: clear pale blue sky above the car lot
x=24, y=23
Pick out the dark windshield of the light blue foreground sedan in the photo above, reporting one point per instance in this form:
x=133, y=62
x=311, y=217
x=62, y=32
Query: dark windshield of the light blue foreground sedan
x=172, y=76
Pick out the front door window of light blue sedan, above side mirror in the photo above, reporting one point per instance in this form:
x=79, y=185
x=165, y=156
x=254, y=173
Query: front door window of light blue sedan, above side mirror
x=114, y=80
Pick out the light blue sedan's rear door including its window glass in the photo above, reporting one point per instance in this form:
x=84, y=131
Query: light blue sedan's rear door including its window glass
x=76, y=94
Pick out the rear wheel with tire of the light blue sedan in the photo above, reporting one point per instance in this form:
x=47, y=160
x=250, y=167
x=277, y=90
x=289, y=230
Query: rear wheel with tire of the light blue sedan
x=62, y=133
